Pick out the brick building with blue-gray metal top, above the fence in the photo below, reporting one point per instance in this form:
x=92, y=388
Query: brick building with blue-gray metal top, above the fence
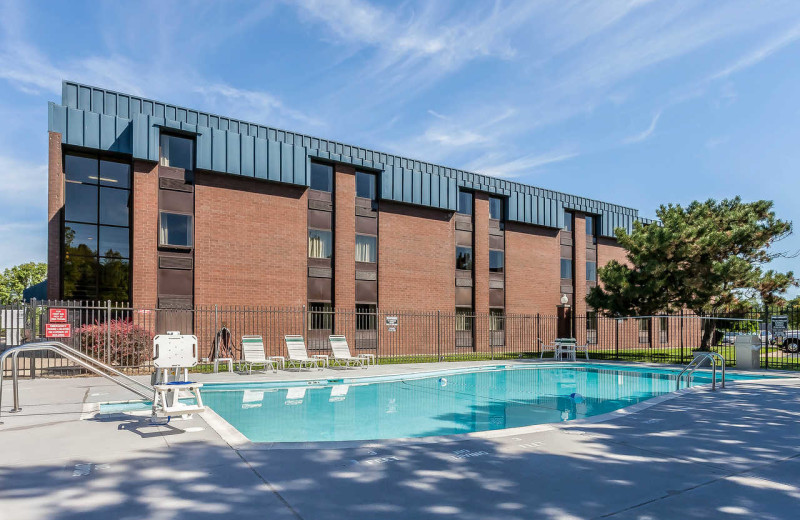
x=168, y=207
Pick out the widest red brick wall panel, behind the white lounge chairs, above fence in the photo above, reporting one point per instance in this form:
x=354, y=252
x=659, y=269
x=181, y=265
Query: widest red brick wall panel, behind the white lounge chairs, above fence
x=251, y=242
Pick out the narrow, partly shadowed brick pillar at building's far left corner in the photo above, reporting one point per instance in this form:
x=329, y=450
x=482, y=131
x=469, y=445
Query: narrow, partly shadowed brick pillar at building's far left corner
x=55, y=207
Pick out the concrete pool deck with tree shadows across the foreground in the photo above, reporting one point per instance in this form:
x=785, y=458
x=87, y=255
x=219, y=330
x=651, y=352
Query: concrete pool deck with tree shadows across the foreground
x=734, y=453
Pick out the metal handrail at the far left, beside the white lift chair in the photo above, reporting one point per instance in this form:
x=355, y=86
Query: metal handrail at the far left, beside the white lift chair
x=74, y=355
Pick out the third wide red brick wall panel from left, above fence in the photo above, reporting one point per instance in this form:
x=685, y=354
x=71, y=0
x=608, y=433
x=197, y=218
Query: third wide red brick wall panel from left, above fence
x=532, y=269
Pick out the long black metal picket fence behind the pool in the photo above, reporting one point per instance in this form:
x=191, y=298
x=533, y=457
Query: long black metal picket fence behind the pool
x=121, y=335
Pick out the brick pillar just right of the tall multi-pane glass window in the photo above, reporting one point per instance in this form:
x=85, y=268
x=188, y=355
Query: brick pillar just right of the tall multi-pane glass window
x=145, y=234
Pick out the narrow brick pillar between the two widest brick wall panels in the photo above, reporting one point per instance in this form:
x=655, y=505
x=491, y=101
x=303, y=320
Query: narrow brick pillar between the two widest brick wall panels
x=344, y=218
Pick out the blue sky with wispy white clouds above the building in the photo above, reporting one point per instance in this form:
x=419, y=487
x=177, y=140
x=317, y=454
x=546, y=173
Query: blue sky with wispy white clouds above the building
x=634, y=102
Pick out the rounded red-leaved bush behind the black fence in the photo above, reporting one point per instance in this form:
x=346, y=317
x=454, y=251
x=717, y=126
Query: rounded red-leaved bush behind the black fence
x=120, y=342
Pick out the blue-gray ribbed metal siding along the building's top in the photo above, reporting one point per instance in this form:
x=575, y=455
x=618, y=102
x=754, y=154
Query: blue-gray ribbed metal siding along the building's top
x=100, y=119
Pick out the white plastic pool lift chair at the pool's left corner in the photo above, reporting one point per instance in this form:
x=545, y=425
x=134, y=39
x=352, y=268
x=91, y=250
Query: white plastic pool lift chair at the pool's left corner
x=176, y=353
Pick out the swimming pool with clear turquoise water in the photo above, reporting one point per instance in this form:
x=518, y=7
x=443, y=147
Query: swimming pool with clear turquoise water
x=442, y=403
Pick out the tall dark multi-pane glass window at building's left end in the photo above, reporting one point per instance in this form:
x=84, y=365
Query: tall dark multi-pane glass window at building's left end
x=97, y=205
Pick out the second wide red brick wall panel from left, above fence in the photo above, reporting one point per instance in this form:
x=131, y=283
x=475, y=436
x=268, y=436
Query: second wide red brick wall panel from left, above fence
x=417, y=260
